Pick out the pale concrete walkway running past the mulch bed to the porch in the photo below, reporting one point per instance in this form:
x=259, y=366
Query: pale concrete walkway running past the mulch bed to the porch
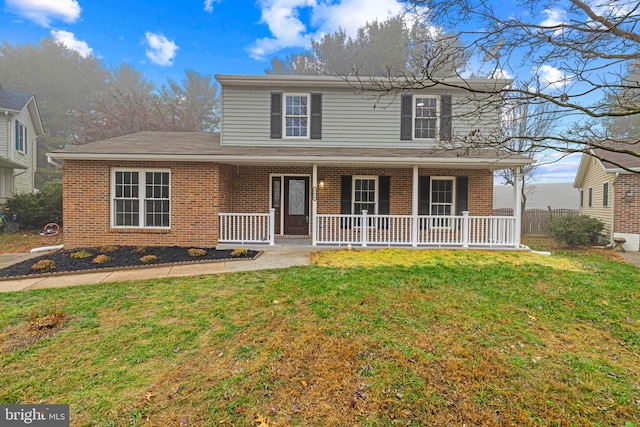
x=271, y=257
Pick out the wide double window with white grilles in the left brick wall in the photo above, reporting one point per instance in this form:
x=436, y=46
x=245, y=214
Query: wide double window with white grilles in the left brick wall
x=140, y=198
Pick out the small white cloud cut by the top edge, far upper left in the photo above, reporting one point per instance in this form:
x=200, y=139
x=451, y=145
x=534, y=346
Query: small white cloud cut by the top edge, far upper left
x=43, y=12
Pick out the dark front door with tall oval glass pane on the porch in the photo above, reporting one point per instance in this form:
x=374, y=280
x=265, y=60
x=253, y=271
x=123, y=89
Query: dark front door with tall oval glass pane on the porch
x=296, y=205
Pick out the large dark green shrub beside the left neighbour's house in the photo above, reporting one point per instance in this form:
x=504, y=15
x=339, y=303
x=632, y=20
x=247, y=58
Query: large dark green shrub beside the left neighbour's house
x=36, y=209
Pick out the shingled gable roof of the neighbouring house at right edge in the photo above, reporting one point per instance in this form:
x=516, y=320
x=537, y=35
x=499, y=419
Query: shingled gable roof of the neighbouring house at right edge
x=623, y=156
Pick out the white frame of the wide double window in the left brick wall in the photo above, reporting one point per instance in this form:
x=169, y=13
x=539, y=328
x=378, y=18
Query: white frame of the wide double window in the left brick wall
x=142, y=213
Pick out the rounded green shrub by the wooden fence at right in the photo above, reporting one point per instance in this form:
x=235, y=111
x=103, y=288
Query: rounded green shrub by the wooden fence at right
x=576, y=230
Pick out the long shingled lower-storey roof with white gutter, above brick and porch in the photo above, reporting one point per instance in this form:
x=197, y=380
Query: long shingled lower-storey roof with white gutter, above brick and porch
x=206, y=147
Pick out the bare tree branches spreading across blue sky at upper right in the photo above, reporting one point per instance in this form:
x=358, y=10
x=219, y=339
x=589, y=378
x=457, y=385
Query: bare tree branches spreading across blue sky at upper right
x=574, y=56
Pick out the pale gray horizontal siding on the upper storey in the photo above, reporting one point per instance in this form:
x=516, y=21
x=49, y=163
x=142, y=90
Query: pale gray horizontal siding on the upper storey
x=348, y=119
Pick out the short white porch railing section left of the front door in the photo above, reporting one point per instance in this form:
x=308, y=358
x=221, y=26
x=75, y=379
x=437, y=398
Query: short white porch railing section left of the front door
x=247, y=228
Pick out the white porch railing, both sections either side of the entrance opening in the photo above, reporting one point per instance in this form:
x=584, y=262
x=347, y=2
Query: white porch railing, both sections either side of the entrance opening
x=384, y=230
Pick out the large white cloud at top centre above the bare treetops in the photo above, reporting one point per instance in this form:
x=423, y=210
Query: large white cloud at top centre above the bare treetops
x=324, y=16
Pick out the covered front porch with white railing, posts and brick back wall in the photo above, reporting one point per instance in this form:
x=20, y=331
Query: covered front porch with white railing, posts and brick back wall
x=417, y=221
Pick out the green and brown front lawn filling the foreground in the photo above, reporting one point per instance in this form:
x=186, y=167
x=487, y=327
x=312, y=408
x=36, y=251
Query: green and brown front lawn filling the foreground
x=371, y=338
